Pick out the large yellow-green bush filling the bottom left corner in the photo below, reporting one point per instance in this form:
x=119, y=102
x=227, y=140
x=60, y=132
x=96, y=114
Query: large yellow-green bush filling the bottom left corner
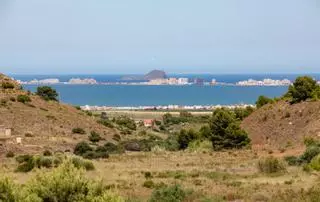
x=63, y=184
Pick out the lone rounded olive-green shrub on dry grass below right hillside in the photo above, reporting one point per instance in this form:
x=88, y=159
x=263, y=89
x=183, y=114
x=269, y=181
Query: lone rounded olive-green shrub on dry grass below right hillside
x=271, y=165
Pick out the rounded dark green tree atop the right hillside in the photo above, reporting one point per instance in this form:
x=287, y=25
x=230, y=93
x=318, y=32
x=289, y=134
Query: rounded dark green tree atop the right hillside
x=302, y=89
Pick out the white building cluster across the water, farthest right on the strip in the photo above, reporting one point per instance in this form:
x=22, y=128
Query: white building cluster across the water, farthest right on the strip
x=264, y=82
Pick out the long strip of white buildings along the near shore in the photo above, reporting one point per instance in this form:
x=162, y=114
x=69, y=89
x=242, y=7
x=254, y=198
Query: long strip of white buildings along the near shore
x=165, y=107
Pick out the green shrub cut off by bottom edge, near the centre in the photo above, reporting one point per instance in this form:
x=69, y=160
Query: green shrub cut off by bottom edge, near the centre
x=168, y=194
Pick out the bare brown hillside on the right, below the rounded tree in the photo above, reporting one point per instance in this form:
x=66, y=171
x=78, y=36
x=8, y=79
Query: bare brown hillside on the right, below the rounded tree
x=280, y=125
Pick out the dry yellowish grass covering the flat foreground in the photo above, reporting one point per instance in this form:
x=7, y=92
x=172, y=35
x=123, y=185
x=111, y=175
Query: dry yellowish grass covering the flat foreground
x=232, y=175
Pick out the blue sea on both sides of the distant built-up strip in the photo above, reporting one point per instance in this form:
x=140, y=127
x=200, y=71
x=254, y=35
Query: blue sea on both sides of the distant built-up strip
x=138, y=95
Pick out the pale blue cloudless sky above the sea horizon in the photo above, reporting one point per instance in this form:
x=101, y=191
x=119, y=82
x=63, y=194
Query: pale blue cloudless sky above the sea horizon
x=178, y=36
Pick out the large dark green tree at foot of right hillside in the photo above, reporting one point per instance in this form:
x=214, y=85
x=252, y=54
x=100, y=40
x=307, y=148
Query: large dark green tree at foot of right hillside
x=226, y=132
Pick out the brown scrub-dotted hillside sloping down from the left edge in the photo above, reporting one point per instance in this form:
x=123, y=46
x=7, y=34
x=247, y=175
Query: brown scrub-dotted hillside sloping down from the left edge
x=41, y=124
